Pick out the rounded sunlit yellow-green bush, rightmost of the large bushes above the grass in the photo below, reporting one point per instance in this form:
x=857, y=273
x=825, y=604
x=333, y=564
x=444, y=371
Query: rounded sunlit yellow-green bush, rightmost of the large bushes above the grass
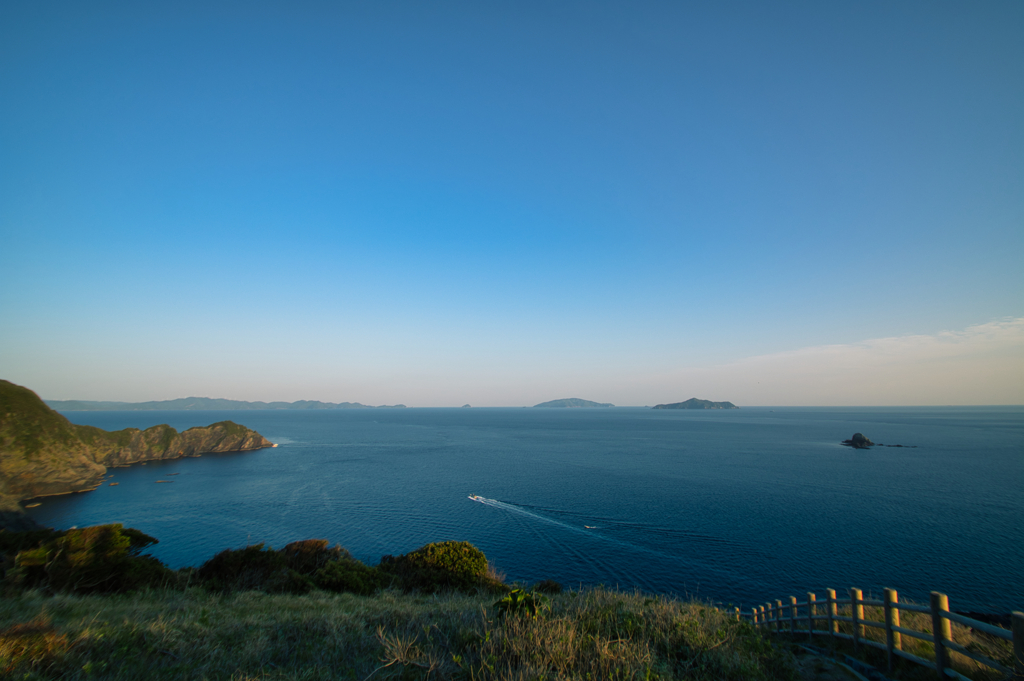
x=441, y=567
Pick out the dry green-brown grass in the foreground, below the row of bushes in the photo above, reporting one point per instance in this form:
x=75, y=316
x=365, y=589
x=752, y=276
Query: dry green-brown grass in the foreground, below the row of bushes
x=196, y=634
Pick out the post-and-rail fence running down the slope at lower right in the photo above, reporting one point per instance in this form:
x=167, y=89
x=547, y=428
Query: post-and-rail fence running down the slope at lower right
x=786, y=618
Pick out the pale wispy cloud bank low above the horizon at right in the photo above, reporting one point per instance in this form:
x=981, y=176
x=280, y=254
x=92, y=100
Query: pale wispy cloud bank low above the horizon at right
x=982, y=365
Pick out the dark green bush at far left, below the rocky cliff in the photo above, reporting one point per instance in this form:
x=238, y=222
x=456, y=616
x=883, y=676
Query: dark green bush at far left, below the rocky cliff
x=102, y=559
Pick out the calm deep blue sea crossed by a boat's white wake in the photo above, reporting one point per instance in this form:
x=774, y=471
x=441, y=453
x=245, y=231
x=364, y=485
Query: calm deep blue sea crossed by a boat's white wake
x=735, y=507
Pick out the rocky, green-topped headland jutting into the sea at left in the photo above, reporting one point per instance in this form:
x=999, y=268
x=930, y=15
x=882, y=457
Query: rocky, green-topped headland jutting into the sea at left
x=42, y=453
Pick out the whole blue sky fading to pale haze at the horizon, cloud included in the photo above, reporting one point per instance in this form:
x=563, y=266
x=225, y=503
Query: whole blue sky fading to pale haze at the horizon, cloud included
x=441, y=203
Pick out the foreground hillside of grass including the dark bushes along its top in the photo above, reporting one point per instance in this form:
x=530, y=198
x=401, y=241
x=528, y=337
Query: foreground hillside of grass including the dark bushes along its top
x=89, y=604
